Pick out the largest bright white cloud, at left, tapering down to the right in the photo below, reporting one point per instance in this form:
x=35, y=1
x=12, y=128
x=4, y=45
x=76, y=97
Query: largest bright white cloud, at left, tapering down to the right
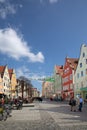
x=13, y=45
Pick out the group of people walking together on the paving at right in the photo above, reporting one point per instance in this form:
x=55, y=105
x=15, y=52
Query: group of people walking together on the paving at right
x=73, y=102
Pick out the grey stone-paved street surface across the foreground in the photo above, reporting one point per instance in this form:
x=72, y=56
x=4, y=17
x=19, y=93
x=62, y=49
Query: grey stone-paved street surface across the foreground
x=48, y=115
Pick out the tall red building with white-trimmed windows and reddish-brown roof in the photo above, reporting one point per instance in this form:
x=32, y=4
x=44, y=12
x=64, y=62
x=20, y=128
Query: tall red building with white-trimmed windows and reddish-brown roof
x=68, y=77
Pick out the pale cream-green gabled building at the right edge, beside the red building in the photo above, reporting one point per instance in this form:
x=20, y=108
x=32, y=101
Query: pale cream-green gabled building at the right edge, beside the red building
x=81, y=73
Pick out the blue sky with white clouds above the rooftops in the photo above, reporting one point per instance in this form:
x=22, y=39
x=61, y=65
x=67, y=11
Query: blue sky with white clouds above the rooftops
x=36, y=35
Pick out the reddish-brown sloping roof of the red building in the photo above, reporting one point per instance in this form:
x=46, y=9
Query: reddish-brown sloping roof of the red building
x=73, y=62
